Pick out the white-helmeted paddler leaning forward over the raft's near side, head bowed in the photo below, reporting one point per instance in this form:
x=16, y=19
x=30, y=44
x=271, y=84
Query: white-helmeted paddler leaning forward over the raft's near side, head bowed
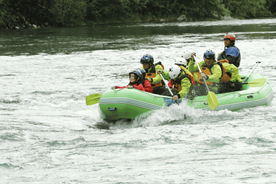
x=180, y=81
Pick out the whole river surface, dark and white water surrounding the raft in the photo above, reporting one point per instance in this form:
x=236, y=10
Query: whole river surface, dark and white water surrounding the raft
x=49, y=135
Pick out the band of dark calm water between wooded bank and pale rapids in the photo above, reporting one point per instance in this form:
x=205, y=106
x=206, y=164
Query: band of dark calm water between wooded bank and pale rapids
x=130, y=36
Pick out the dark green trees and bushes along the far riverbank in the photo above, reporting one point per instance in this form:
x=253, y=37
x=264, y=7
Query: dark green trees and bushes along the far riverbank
x=44, y=13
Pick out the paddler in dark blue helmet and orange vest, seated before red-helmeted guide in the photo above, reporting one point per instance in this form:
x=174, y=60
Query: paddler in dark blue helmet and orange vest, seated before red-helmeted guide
x=211, y=72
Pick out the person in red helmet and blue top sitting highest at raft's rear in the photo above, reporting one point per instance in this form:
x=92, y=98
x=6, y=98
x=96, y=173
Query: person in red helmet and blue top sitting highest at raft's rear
x=231, y=52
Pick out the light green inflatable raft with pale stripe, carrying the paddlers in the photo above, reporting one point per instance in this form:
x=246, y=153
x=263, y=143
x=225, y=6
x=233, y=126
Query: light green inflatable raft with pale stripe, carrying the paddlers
x=131, y=103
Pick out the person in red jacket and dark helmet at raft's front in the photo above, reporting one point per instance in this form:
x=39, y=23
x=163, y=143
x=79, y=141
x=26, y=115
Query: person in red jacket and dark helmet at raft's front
x=134, y=81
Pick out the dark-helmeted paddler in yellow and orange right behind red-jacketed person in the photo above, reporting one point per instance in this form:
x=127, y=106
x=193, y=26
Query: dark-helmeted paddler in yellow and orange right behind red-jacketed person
x=151, y=73
